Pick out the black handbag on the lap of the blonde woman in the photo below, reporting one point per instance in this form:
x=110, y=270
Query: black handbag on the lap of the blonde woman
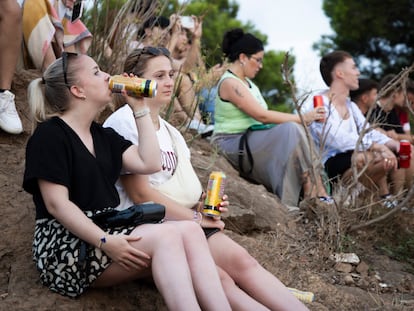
x=135, y=215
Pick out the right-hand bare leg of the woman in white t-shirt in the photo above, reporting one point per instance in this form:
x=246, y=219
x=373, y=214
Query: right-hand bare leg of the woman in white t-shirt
x=250, y=276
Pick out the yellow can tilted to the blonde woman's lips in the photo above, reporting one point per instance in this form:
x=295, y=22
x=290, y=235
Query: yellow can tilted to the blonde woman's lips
x=136, y=87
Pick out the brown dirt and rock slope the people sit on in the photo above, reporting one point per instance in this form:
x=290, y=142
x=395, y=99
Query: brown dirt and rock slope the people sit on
x=297, y=248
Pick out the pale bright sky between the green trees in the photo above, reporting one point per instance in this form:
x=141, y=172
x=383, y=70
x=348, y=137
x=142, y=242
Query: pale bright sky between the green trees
x=291, y=25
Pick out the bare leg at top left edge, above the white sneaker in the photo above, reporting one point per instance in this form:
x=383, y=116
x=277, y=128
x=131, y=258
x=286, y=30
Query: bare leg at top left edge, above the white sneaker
x=10, y=40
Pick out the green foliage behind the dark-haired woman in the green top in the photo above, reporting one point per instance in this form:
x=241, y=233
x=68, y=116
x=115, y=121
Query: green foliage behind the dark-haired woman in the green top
x=218, y=17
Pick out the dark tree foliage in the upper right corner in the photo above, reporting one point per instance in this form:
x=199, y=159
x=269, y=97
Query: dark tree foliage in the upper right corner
x=379, y=34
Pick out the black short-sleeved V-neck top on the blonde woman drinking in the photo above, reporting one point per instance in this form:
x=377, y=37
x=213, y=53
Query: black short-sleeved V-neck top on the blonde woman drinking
x=56, y=153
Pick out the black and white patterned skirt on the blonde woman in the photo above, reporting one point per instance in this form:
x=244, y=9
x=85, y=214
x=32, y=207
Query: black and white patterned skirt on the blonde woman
x=67, y=265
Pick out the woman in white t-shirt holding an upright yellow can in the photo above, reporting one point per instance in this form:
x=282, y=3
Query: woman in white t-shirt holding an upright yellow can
x=247, y=284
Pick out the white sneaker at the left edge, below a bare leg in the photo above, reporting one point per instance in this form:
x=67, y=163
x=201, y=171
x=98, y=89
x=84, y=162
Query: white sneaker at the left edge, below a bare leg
x=9, y=118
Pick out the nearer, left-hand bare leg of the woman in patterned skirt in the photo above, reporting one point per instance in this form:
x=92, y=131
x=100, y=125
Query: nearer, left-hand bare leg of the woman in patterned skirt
x=169, y=266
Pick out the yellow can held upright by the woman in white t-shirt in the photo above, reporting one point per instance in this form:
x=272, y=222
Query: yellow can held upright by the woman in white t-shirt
x=215, y=192
